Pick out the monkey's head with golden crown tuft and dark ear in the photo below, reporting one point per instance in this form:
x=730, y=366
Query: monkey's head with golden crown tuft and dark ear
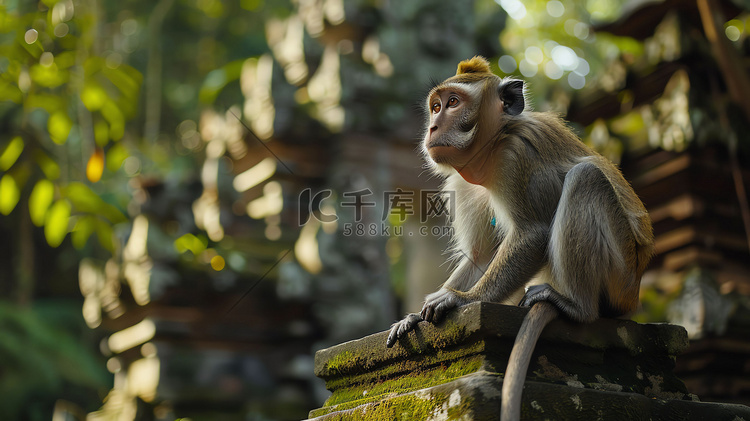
x=466, y=113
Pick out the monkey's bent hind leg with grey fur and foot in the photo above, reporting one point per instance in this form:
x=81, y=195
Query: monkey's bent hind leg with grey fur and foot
x=589, y=241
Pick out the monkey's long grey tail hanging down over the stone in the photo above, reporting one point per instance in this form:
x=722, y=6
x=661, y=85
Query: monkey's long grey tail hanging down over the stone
x=540, y=314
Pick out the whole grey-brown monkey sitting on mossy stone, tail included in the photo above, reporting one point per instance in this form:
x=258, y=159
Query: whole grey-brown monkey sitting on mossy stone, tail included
x=538, y=215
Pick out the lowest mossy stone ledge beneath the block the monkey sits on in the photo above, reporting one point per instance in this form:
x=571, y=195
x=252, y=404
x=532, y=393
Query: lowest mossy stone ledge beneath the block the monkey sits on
x=477, y=397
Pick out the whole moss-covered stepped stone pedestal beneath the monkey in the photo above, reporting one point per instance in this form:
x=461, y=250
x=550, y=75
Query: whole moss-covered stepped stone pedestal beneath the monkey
x=609, y=369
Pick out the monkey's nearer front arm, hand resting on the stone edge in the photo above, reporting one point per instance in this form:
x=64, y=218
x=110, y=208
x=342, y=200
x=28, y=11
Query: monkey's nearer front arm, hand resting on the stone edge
x=519, y=257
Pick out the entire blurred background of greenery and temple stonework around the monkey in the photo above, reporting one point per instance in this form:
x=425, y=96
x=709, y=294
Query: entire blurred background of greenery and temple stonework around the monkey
x=161, y=255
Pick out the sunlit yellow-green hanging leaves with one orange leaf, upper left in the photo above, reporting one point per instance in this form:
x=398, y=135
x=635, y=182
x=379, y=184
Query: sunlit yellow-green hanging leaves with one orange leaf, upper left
x=64, y=110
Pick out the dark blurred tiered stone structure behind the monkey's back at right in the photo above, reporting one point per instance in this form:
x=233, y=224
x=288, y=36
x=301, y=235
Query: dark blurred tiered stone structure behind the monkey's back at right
x=686, y=157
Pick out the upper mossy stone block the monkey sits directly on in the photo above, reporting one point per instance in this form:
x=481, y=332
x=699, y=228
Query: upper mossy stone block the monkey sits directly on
x=607, y=355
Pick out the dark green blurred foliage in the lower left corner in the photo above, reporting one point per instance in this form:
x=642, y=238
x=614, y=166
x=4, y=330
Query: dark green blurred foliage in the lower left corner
x=47, y=354
